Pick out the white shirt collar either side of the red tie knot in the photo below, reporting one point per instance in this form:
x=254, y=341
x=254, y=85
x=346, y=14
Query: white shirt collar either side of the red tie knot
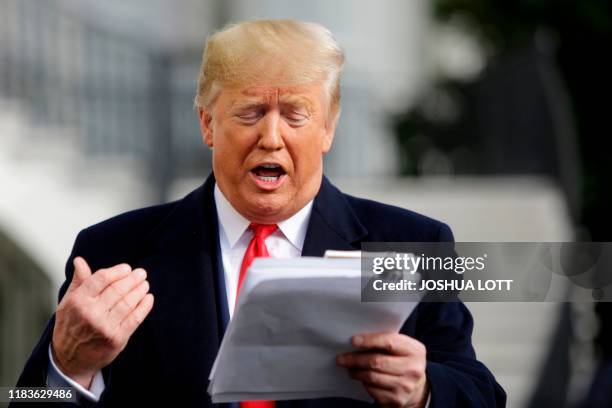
x=234, y=224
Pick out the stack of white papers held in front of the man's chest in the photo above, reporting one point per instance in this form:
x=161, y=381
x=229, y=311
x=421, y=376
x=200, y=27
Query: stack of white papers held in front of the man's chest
x=293, y=318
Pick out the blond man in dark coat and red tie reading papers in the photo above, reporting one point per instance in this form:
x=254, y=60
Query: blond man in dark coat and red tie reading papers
x=146, y=326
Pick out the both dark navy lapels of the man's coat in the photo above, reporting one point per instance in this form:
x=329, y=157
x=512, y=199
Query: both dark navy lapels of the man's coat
x=187, y=321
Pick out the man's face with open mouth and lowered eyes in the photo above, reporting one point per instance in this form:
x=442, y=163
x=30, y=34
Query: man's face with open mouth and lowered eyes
x=268, y=145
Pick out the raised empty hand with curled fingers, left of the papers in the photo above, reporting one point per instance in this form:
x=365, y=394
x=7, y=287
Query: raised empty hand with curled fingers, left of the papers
x=97, y=316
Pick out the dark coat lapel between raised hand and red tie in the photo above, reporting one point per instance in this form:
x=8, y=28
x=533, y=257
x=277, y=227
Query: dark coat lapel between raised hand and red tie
x=186, y=322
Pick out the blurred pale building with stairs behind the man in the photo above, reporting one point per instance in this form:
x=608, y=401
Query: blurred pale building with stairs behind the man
x=96, y=119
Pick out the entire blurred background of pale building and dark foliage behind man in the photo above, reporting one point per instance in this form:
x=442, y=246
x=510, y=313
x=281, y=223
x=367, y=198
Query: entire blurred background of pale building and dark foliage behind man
x=489, y=115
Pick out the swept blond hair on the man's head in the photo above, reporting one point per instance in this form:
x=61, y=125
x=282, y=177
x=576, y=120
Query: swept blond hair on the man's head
x=278, y=52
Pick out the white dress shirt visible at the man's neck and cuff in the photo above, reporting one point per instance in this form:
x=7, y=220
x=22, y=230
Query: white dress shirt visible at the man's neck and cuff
x=286, y=242
